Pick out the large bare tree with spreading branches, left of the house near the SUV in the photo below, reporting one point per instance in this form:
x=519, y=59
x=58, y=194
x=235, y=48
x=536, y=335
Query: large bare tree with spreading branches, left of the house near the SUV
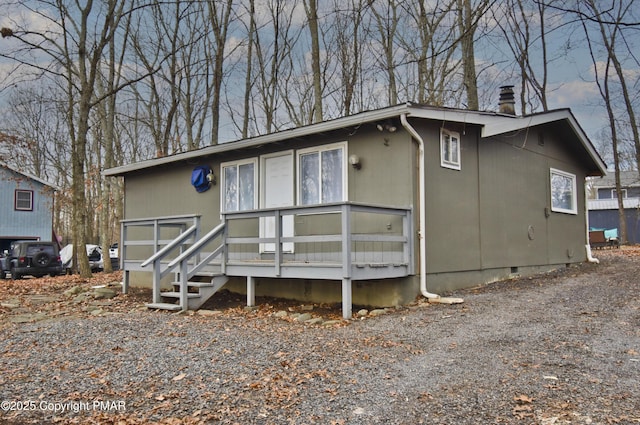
x=72, y=49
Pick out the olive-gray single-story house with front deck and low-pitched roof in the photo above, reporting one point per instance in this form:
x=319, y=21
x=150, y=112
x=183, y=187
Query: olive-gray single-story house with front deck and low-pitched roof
x=375, y=208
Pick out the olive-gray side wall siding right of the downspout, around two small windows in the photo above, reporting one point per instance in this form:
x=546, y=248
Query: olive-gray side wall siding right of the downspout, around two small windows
x=495, y=212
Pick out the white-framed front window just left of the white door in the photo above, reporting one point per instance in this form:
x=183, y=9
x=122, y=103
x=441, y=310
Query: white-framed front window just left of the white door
x=239, y=186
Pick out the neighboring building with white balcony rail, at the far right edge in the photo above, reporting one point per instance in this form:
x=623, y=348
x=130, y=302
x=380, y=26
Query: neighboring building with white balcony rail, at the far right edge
x=603, y=211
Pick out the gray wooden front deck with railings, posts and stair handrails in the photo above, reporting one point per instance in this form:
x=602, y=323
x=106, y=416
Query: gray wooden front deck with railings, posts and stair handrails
x=343, y=241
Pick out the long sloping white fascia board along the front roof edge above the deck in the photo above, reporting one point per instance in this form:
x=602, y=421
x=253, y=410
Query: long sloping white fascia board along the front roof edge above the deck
x=325, y=126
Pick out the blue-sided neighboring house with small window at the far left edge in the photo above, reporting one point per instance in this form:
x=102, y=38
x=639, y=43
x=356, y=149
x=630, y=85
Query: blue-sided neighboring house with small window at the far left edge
x=26, y=207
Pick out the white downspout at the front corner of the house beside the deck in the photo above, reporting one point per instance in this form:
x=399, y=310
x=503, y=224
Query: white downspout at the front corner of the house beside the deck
x=423, y=221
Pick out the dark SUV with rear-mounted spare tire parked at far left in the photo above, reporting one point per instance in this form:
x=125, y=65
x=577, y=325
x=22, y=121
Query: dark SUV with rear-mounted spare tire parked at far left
x=33, y=258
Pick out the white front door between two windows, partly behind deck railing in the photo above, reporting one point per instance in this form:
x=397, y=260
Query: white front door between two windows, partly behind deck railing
x=277, y=192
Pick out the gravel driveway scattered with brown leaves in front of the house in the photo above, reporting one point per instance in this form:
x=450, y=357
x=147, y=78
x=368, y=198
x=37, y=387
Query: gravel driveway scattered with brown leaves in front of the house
x=562, y=348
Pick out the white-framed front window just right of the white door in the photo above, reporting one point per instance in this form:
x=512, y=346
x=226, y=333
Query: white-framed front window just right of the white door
x=321, y=175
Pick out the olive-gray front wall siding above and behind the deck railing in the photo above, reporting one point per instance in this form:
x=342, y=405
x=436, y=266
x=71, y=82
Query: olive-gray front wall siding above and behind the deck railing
x=385, y=179
